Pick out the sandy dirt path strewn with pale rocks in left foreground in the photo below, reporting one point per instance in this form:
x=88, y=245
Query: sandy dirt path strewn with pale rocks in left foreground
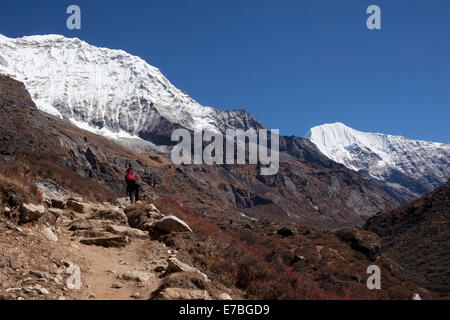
x=74, y=249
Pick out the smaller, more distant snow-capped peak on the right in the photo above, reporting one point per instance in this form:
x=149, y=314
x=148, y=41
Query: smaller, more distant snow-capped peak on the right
x=411, y=167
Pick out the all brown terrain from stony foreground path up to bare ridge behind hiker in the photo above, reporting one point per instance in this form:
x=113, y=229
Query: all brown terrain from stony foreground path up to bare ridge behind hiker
x=238, y=236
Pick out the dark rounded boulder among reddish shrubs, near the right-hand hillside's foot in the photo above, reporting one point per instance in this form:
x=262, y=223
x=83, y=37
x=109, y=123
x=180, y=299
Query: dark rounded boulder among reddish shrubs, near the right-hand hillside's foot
x=361, y=240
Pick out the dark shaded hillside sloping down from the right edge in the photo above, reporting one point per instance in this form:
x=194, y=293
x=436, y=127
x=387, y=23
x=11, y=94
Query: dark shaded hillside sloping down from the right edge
x=417, y=236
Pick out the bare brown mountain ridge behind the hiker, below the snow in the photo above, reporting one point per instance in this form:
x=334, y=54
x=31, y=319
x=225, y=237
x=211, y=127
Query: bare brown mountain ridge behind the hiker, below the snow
x=309, y=187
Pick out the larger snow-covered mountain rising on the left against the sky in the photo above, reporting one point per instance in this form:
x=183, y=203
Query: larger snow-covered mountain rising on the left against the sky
x=108, y=91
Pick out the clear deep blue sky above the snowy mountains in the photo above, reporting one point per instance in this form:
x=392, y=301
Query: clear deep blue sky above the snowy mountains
x=291, y=63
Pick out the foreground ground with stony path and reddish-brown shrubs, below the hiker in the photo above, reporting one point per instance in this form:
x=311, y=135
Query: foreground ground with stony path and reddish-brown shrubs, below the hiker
x=65, y=247
